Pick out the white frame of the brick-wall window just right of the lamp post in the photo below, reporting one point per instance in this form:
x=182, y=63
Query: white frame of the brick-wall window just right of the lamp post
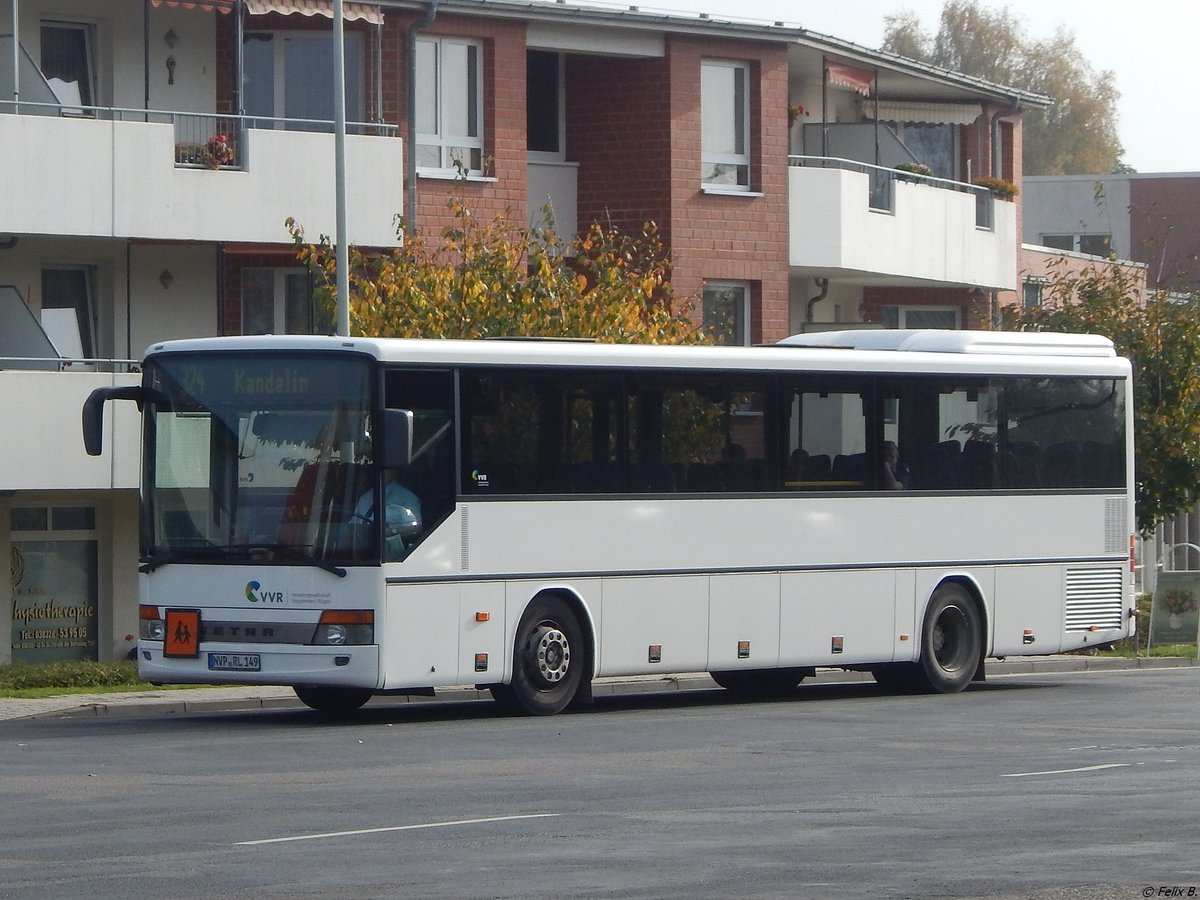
x=449, y=146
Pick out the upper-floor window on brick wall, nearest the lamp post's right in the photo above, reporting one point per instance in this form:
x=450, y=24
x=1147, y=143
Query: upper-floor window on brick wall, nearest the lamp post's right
x=449, y=105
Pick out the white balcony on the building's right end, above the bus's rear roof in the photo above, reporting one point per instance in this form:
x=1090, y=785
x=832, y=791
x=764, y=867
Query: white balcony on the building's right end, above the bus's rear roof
x=863, y=223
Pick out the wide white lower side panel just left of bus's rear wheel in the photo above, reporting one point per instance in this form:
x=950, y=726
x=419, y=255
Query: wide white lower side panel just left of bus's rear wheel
x=838, y=619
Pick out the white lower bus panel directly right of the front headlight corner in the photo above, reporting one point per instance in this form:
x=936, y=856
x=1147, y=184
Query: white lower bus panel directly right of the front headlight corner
x=422, y=637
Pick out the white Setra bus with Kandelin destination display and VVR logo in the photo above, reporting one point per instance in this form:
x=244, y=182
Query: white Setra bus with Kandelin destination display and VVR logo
x=357, y=517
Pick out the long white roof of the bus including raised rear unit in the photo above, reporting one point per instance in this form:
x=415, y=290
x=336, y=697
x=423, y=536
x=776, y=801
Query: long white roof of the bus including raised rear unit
x=929, y=351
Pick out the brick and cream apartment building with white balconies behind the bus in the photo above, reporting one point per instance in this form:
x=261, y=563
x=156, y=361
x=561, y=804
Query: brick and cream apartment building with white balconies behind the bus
x=157, y=148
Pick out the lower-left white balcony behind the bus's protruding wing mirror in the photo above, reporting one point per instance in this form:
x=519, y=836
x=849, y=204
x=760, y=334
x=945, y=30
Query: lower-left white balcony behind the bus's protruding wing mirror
x=45, y=449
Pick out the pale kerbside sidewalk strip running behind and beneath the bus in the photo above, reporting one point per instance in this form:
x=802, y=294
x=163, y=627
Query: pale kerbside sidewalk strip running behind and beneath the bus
x=208, y=700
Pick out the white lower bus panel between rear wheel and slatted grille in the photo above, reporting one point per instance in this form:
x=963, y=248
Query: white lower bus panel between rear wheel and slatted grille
x=1028, y=598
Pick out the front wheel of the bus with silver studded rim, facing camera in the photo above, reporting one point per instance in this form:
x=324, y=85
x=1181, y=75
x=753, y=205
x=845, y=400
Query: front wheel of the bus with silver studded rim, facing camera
x=548, y=661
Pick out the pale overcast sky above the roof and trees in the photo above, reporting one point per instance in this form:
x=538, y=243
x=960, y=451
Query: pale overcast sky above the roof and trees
x=1153, y=47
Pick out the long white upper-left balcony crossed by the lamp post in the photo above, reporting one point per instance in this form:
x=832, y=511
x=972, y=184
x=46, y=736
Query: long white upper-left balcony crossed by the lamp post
x=135, y=173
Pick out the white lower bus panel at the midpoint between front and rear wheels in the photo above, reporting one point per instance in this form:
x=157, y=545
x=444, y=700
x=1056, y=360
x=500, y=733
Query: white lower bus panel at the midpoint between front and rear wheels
x=745, y=609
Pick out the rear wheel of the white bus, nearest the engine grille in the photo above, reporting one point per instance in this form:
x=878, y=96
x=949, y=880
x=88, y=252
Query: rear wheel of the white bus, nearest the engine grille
x=951, y=640
